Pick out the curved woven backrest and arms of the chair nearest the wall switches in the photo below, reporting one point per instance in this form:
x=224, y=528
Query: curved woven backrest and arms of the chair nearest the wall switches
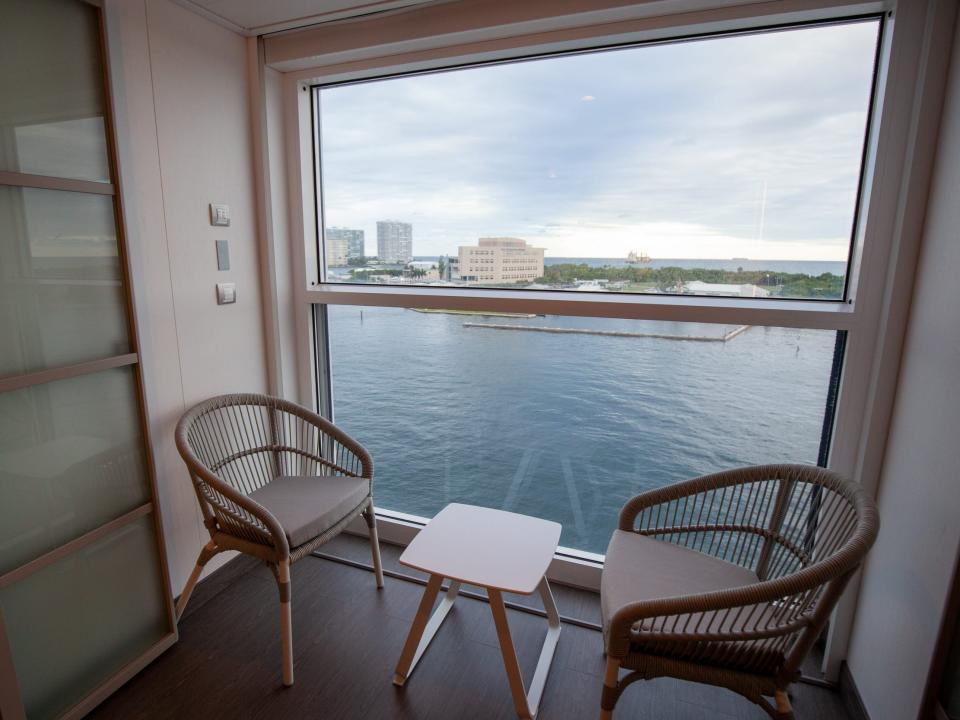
x=236, y=444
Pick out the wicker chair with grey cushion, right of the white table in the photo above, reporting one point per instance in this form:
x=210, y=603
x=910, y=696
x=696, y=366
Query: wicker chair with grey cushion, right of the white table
x=728, y=579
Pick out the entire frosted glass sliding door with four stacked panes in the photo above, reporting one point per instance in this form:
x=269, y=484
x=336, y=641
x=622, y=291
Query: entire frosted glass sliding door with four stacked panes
x=84, y=595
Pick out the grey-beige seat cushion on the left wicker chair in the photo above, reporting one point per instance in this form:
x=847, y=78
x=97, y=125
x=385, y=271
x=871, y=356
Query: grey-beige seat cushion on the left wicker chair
x=307, y=506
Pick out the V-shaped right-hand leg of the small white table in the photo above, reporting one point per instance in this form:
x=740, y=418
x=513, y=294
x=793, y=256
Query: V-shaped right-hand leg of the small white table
x=526, y=704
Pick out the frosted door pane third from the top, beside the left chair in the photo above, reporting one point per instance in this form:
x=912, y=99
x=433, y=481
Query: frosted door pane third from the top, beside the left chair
x=70, y=460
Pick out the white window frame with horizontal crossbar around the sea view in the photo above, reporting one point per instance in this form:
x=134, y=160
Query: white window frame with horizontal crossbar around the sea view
x=880, y=272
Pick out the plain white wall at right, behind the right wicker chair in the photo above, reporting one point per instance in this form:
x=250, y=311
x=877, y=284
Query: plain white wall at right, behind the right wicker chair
x=907, y=576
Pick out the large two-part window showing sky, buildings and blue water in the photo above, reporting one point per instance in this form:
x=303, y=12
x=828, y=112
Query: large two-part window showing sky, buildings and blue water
x=703, y=196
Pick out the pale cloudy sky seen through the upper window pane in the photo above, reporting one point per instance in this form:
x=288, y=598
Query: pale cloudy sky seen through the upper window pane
x=745, y=146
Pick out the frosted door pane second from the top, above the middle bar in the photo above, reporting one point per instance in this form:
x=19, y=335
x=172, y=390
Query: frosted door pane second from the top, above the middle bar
x=61, y=298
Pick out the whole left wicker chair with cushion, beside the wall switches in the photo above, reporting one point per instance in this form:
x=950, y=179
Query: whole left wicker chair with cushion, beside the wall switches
x=275, y=481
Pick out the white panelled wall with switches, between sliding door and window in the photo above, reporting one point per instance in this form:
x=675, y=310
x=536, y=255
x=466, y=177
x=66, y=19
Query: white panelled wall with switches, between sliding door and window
x=183, y=125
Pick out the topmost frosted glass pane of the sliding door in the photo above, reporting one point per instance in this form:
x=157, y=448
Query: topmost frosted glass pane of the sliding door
x=51, y=118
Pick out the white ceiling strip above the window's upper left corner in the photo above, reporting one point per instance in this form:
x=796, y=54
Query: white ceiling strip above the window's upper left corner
x=256, y=17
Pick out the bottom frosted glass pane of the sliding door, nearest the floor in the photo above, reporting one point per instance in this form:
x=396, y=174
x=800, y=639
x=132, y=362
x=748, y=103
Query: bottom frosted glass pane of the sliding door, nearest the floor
x=76, y=622
